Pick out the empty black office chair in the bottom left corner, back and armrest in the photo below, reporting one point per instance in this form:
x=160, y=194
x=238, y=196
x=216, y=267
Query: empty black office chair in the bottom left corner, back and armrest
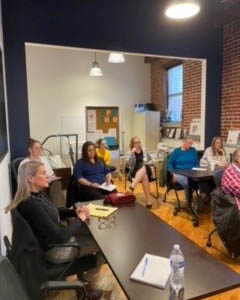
x=12, y=288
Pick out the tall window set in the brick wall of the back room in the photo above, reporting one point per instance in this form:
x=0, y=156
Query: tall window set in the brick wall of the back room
x=174, y=93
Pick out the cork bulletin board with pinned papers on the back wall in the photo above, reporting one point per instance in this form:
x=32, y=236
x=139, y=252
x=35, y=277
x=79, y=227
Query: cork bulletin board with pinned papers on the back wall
x=102, y=122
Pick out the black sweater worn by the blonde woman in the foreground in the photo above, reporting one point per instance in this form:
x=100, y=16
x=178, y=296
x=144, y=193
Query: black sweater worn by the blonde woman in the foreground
x=44, y=220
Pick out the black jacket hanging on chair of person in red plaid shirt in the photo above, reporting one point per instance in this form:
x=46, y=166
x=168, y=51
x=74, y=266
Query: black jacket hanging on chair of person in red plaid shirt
x=226, y=217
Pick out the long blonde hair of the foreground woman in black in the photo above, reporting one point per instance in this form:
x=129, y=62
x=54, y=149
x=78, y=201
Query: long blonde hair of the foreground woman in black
x=29, y=168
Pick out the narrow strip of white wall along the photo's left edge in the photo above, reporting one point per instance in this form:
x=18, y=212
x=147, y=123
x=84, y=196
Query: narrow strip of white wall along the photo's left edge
x=5, y=192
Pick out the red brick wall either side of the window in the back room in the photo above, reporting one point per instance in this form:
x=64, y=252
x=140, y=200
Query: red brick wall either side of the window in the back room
x=191, y=89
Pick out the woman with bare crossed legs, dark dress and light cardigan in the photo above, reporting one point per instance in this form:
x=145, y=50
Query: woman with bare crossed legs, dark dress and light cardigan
x=138, y=171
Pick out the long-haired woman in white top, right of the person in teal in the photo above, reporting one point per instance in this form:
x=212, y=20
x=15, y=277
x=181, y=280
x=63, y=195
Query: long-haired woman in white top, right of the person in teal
x=215, y=154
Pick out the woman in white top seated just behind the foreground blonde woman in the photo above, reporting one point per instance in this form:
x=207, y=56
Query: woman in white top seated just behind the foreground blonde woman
x=55, y=189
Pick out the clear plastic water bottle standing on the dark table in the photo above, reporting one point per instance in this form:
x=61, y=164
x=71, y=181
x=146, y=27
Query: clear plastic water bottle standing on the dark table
x=177, y=274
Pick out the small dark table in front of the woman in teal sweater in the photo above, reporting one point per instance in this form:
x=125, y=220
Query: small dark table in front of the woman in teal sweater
x=194, y=176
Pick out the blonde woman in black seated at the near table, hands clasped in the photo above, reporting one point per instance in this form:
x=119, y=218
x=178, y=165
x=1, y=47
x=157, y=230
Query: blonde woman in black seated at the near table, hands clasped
x=44, y=218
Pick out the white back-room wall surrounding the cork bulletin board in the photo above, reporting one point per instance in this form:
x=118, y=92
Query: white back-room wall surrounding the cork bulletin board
x=59, y=84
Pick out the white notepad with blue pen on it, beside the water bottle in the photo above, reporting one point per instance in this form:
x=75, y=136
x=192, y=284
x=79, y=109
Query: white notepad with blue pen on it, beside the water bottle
x=152, y=270
